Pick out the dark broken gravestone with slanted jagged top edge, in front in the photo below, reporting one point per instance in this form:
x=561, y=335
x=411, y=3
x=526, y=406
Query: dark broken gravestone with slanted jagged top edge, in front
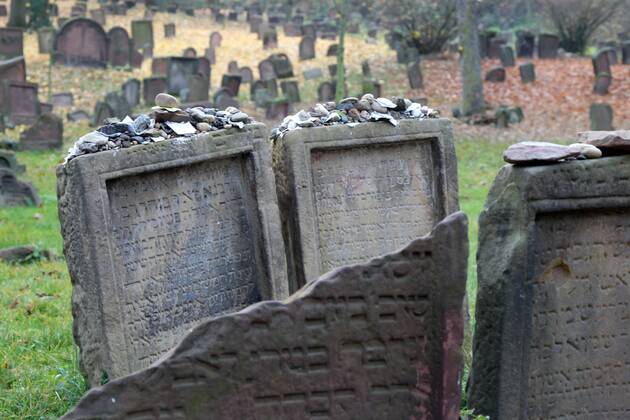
x=373, y=341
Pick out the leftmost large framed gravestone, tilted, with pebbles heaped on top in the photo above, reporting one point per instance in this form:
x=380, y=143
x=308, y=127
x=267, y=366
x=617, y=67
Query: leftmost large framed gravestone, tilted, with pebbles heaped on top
x=188, y=229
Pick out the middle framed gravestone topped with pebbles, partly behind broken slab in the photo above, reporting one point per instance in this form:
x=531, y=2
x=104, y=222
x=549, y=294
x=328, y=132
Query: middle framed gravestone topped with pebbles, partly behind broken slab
x=351, y=193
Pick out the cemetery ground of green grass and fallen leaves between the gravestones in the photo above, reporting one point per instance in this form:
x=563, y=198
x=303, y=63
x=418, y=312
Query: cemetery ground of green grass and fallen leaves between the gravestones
x=39, y=375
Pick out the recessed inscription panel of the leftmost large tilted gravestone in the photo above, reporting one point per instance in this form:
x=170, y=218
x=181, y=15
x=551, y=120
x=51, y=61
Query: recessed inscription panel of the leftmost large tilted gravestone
x=183, y=248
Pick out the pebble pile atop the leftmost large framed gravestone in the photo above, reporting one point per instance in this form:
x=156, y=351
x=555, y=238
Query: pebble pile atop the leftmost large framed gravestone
x=165, y=122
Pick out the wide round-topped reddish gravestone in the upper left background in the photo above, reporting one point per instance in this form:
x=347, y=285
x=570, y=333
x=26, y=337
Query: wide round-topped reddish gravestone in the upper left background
x=81, y=42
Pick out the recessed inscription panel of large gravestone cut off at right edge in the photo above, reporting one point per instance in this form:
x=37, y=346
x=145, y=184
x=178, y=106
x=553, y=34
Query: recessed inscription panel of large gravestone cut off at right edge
x=580, y=345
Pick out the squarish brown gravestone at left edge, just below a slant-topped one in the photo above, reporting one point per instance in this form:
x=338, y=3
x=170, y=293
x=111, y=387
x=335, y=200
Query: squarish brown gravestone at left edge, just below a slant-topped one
x=21, y=103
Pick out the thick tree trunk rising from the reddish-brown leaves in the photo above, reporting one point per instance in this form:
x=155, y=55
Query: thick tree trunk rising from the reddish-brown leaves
x=472, y=84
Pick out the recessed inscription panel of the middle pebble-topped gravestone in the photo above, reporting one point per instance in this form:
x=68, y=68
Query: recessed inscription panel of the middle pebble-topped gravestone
x=372, y=199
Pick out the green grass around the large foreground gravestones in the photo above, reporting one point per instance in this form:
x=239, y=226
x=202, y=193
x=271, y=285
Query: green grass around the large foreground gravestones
x=39, y=375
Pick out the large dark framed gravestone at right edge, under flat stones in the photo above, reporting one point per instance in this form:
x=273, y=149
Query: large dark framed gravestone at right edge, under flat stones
x=552, y=307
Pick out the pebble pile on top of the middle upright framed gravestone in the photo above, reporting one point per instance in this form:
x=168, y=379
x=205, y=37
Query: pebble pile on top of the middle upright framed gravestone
x=353, y=111
